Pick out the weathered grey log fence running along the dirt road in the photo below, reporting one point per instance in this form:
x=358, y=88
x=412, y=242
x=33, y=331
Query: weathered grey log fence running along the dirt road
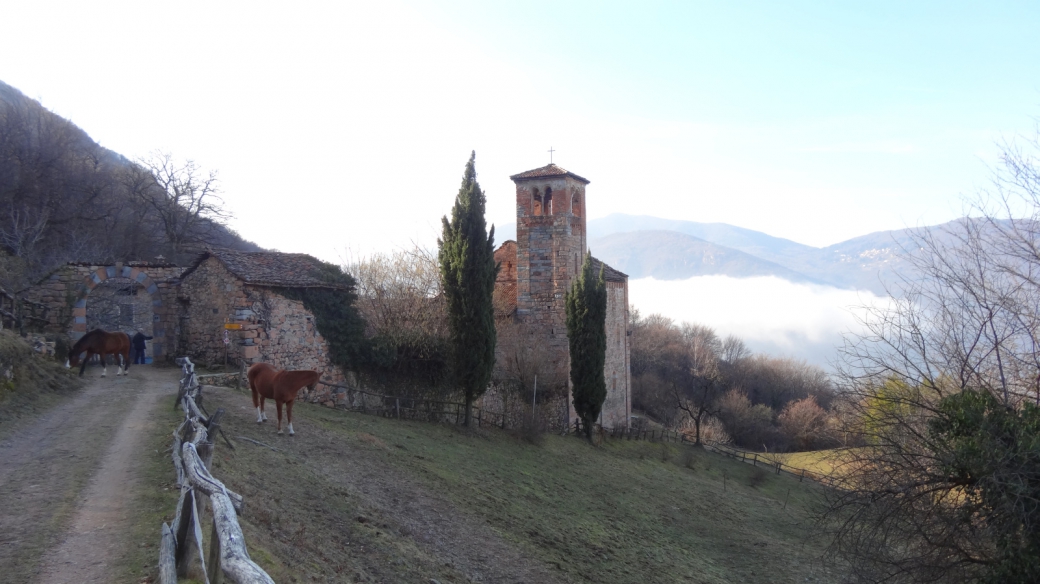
x=183, y=543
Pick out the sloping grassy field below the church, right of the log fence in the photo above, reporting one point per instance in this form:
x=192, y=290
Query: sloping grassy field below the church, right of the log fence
x=357, y=498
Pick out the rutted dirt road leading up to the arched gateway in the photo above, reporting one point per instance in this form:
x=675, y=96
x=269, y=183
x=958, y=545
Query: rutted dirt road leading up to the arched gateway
x=66, y=480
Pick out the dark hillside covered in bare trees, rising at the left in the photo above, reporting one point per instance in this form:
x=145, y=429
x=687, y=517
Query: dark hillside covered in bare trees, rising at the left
x=65, y=198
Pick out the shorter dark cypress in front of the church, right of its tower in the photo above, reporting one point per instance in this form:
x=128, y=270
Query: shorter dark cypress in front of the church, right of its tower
x=587, y=333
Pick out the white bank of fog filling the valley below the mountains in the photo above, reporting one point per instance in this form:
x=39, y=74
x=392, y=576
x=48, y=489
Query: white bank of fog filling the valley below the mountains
x=773, y=316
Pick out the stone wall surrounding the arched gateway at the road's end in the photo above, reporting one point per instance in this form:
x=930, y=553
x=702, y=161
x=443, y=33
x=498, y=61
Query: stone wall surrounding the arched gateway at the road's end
x=67, y=291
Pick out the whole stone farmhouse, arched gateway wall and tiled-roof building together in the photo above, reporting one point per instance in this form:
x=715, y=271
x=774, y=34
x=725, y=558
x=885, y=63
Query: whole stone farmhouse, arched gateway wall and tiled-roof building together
x=225, y=306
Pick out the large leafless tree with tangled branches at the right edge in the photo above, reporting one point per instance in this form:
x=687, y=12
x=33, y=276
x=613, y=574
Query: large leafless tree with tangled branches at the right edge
x=964, y=324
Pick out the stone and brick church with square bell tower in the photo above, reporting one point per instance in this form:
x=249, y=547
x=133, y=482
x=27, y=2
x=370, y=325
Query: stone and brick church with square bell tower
x=540, y=268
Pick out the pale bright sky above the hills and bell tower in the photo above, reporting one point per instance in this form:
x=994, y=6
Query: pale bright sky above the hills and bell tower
x=343, y=128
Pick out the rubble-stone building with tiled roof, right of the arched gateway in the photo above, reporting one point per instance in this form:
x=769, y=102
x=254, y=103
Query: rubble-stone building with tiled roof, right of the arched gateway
x=241, y=289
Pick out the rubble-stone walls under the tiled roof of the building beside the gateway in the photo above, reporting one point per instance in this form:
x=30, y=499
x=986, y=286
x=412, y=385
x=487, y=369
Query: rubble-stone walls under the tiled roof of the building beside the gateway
x=273, y=330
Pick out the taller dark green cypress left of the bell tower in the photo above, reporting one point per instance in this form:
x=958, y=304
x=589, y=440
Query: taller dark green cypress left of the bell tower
x=469, y=271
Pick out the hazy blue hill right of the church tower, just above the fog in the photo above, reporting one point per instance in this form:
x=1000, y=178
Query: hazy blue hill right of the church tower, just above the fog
x=670, y=255
